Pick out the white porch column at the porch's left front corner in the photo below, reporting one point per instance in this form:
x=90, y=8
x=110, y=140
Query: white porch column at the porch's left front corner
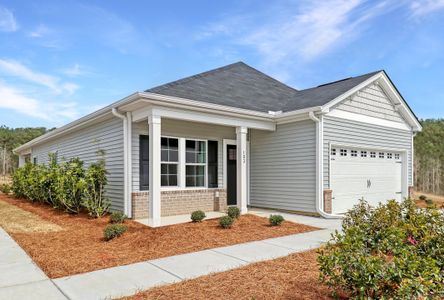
x=154, y=123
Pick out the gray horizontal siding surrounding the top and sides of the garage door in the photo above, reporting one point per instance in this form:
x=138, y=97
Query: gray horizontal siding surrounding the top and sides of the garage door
x=343, y=131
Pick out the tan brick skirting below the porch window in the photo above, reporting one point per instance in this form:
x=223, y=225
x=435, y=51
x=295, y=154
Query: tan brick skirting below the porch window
x=180, y=202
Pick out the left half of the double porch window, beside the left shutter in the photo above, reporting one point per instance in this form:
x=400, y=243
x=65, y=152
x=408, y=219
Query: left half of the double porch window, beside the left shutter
x=169, y=161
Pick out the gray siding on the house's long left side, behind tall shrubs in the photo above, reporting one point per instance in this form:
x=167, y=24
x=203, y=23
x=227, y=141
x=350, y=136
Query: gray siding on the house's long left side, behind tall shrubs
x=84, y=143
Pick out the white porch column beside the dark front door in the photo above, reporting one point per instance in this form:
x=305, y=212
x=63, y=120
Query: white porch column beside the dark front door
x=241, y=141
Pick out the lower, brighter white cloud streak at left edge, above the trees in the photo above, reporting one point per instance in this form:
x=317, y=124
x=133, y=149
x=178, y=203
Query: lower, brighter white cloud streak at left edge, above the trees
x=11, y=98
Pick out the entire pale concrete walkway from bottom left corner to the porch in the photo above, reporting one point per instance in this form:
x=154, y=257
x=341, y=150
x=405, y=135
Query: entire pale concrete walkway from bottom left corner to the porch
x=20, y=278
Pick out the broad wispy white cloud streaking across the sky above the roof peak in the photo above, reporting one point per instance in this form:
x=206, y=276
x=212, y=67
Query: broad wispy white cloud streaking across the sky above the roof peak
x=304, y=31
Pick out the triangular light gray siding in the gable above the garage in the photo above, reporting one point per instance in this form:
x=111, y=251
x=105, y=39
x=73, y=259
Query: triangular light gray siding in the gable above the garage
x=373, y=102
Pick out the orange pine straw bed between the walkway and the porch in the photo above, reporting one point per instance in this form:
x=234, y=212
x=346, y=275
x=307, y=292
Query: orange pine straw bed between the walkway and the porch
x=80, y=246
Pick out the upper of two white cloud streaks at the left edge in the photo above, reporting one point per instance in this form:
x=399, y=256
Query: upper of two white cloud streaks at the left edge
x=15, y=68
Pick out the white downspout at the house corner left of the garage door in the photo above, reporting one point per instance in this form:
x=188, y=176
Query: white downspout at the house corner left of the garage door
x=319, y=168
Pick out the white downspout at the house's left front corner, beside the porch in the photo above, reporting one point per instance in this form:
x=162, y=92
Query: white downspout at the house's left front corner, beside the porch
x=127, y=180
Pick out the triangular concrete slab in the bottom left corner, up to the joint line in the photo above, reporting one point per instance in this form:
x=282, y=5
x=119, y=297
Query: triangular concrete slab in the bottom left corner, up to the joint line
x=20, y=278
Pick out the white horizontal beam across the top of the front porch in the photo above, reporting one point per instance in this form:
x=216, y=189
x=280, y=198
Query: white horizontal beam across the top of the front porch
x=203, y=117
